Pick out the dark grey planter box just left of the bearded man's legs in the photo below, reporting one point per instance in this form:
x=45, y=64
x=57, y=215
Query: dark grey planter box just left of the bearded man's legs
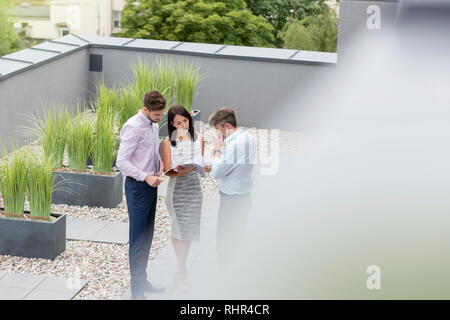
x=88, y=189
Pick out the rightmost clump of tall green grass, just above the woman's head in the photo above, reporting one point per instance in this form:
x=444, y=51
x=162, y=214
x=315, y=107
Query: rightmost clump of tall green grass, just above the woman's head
x=188, y=76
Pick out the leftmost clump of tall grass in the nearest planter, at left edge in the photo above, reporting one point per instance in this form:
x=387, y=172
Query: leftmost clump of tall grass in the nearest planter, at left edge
x=13, y=178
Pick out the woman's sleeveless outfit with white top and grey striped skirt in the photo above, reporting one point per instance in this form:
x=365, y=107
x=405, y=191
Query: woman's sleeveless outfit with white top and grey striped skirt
x=184, y=194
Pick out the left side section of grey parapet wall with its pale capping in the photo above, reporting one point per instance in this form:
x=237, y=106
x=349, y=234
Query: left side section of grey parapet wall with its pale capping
x=48, y=78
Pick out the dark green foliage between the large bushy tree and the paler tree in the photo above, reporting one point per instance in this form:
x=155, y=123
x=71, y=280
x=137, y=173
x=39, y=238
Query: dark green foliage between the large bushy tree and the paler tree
x=280, y=12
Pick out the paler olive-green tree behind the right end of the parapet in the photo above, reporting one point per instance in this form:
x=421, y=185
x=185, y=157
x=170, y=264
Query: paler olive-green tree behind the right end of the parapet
x=313, y=33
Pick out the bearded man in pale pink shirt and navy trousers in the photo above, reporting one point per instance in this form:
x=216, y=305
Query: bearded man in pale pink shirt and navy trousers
x=139, y=161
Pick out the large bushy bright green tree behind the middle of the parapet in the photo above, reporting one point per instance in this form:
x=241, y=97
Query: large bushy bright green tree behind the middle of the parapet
x=208, y=21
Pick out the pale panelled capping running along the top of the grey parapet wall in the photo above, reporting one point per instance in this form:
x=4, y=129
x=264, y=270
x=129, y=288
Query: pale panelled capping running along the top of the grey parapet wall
x=45, y=52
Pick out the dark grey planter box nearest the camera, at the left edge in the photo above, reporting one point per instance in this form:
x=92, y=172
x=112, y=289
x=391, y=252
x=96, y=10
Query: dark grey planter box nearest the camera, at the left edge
x=33, y=238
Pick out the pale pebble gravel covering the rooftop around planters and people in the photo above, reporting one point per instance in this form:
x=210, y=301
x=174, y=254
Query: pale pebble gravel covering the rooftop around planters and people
x=103, y=265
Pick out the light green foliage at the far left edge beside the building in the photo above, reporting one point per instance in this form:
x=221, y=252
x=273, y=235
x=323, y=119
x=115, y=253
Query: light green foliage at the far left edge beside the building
x=9, y=40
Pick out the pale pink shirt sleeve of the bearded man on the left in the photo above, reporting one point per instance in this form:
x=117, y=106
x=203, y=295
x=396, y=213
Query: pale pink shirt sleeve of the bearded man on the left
x=129, y=138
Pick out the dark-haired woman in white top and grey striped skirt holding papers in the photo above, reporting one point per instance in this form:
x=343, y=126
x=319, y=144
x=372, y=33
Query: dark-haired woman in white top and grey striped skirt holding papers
x=184, y=193
